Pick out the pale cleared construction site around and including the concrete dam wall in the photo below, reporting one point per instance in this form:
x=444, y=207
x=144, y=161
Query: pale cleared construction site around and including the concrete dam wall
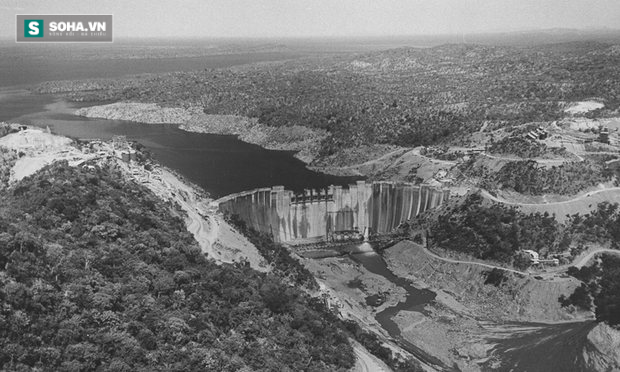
x=346, y=216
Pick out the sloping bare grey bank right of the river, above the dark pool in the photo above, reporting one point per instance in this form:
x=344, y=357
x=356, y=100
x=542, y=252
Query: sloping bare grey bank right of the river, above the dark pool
x=514, y=298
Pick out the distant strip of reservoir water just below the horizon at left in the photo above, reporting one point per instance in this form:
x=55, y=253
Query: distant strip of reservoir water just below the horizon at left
x=27, y=64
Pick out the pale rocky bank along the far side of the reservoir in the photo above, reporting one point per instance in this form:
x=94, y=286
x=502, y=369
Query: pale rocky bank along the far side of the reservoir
x=305, y=142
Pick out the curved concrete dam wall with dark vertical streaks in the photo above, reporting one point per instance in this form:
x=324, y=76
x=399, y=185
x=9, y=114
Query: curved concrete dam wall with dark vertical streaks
x=378, y=207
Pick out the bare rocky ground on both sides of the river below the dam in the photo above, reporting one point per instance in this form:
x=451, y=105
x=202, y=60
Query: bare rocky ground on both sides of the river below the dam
x=467, y=321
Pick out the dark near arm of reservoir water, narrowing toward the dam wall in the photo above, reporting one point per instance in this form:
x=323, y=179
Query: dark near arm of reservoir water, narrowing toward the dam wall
x=220, y=164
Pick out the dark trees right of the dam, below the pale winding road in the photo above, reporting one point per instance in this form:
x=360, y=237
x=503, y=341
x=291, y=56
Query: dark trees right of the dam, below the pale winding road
x=494, y=231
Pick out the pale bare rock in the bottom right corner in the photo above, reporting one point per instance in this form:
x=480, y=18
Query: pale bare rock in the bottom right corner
x=602, y=349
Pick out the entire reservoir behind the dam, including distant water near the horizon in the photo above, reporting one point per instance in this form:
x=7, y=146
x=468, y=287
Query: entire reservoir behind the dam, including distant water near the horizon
x=220, y=164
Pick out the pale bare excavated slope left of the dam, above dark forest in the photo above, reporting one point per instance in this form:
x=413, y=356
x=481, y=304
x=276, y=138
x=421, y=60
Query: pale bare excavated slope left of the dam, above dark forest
x=221, y=242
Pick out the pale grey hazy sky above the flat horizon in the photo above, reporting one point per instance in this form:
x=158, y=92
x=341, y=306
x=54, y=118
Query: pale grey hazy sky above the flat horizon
x=323, y=18
